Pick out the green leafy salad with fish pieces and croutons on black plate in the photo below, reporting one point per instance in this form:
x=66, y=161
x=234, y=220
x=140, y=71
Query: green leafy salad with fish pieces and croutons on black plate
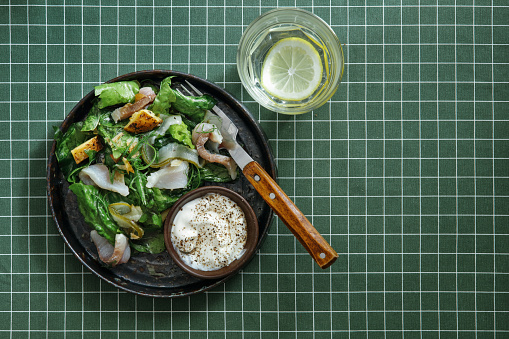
x=140, y=148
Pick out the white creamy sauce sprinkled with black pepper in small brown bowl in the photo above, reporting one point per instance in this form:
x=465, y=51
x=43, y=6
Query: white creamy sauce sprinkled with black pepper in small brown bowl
x=209, y=232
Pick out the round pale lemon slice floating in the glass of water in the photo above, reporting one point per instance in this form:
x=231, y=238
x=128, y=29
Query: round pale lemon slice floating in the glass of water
x=292, y=70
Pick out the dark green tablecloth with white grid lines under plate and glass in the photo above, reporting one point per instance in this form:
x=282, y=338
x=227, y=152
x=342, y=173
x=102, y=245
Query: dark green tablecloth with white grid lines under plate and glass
x=405, y=171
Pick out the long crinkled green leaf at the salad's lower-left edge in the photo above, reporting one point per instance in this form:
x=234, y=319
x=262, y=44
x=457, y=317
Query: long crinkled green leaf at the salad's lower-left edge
x=94, y=208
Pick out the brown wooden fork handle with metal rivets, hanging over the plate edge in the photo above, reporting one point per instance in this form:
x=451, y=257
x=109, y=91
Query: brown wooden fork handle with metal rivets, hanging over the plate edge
x=294, y=219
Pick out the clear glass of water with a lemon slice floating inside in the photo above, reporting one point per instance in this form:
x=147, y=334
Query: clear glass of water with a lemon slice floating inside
x=290, y=61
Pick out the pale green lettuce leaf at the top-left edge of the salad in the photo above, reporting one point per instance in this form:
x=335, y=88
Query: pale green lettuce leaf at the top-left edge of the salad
x=116, y=93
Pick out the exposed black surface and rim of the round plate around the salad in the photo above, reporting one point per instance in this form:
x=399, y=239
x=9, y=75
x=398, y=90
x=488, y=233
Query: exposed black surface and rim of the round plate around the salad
x=147, y=274
